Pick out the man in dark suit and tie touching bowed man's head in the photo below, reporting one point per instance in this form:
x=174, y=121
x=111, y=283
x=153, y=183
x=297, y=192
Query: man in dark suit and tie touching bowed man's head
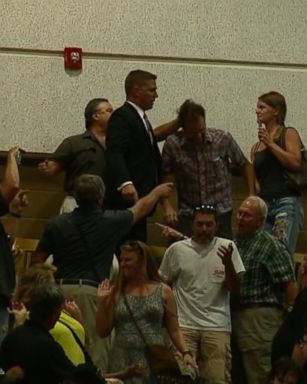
x=133, y=156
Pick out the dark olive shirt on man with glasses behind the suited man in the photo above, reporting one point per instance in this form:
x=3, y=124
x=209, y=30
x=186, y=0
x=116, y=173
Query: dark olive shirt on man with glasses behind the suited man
x=80, y=154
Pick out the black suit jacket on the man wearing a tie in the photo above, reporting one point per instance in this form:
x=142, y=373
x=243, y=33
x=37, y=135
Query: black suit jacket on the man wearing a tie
x=130, y=155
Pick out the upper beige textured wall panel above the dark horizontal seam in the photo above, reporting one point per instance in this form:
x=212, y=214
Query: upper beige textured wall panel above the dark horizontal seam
x=226, y=29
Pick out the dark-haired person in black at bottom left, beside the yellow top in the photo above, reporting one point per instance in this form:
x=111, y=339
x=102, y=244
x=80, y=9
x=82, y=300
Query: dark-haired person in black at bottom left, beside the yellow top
x=31, y=347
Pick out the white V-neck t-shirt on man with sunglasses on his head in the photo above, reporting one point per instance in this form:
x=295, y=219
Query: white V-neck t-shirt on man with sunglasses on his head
x=197, y=275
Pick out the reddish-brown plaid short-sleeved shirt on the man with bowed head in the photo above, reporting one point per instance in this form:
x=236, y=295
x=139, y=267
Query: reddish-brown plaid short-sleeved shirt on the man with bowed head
x=202, y=170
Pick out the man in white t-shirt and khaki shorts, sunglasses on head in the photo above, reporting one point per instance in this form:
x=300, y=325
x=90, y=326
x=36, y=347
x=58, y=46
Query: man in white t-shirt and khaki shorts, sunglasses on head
x=203, y=270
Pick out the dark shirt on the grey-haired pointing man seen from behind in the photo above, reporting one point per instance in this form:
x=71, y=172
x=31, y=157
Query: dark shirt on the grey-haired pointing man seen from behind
x=76, y=259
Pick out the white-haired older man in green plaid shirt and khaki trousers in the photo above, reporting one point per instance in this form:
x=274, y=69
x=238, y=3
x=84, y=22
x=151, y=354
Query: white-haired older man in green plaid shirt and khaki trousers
x=267, y=286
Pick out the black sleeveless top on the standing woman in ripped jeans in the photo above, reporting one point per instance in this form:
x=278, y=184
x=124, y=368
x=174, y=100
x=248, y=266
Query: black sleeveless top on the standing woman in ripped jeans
x=270, y=175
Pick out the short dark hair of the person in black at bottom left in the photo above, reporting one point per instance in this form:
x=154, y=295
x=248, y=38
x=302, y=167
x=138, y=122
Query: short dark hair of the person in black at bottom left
x=44, y=301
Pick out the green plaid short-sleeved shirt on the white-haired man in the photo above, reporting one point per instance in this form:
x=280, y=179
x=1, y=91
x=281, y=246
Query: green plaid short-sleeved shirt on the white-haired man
x=267, y=264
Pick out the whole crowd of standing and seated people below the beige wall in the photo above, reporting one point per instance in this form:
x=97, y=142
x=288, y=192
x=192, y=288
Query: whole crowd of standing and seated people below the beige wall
x=227, y=306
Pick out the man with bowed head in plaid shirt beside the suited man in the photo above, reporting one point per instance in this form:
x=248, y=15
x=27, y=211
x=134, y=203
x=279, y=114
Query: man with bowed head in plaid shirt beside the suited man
x=201, y=160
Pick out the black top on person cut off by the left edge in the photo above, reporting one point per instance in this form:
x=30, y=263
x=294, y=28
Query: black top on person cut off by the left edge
x=7, y=268
